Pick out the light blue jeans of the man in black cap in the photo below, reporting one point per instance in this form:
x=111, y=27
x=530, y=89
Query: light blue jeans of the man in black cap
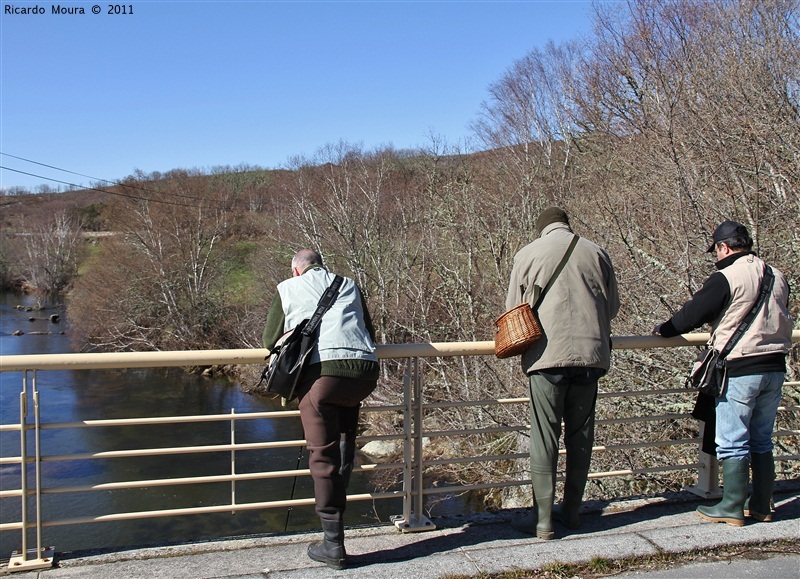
x=746, y=415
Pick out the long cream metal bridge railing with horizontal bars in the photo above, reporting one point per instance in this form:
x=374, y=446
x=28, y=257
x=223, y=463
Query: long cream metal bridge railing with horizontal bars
x=413, y=463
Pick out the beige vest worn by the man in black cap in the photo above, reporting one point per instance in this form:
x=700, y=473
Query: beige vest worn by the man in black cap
x=771, y=330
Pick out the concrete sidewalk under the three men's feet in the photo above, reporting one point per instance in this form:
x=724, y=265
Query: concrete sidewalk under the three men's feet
x=481, y=543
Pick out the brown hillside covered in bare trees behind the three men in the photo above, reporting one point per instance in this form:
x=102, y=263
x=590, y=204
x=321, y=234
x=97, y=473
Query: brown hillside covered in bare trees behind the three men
x=671, y=118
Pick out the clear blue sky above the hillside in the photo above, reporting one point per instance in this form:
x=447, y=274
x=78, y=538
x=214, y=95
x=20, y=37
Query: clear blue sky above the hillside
x=197, y=84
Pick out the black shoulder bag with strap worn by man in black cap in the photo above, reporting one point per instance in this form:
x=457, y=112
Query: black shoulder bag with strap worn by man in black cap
x=710, y=372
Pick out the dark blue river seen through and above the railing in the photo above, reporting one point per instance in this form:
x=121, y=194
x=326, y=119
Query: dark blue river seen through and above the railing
x=72, y=395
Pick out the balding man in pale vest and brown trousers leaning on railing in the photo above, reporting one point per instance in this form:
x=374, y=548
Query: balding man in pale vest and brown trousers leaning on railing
x=342, y=371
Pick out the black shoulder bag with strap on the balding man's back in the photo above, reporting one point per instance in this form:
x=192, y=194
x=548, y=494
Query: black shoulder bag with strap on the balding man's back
x=289, y=356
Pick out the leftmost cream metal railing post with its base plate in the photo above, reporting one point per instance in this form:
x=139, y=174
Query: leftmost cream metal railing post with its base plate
x=39, y=558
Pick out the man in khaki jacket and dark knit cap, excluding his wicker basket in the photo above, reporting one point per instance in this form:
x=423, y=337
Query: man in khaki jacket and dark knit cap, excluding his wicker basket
x=565, y=364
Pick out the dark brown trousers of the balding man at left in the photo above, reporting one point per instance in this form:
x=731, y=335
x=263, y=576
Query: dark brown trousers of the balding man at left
x=329, y=412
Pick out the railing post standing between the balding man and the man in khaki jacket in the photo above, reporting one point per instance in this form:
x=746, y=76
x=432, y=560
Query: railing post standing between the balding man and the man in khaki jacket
x=412, y=519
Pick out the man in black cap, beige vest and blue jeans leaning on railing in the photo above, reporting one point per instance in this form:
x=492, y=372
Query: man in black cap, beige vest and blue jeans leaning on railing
x=746, y=409
